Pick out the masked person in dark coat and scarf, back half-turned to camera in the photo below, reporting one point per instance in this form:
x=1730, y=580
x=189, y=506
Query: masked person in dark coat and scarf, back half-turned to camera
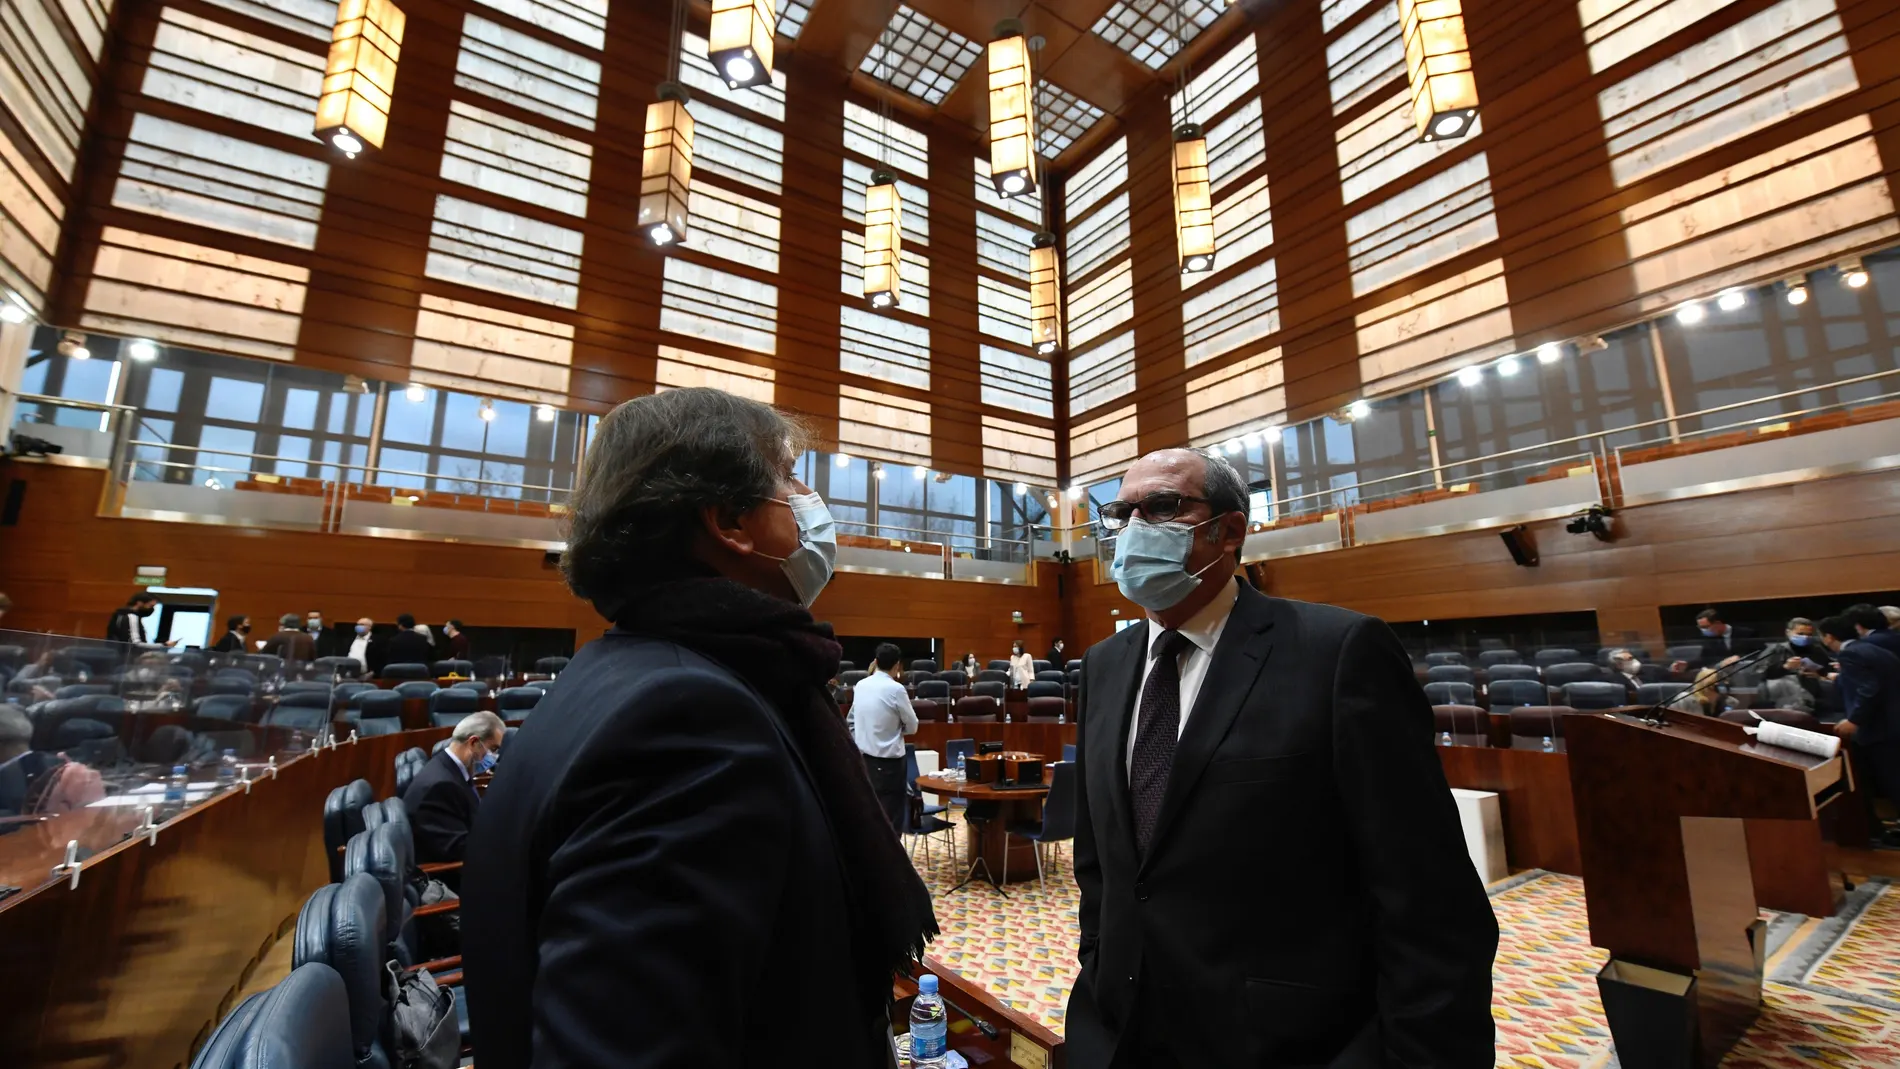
x=681, y=861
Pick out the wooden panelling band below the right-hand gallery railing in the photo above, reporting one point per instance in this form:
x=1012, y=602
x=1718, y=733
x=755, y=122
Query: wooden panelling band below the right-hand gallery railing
x=1817, y=540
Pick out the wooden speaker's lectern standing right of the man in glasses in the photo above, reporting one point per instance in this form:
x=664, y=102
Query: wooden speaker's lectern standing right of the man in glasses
x=1662, y=812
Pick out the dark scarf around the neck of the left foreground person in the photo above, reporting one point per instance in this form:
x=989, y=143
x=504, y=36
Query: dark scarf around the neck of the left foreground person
x=789, y=658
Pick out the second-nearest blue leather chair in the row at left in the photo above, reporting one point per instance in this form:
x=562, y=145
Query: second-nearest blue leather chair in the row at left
x=343, y=926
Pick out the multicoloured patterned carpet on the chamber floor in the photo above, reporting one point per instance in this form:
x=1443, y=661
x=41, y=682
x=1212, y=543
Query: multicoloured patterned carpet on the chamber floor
x=1833, y=998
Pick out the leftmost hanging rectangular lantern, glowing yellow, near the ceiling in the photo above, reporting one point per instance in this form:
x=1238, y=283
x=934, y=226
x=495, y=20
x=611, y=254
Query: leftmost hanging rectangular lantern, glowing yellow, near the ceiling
x=360, y=77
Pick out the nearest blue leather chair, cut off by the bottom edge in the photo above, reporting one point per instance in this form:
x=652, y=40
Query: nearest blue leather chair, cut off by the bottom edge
x=299, y=1024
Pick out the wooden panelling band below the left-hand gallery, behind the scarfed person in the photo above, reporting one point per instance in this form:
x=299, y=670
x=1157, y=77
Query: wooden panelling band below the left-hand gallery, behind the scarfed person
x=67, y=569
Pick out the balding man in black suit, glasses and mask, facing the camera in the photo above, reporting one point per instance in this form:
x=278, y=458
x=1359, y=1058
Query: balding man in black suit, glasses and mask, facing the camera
x=1245, y=760
